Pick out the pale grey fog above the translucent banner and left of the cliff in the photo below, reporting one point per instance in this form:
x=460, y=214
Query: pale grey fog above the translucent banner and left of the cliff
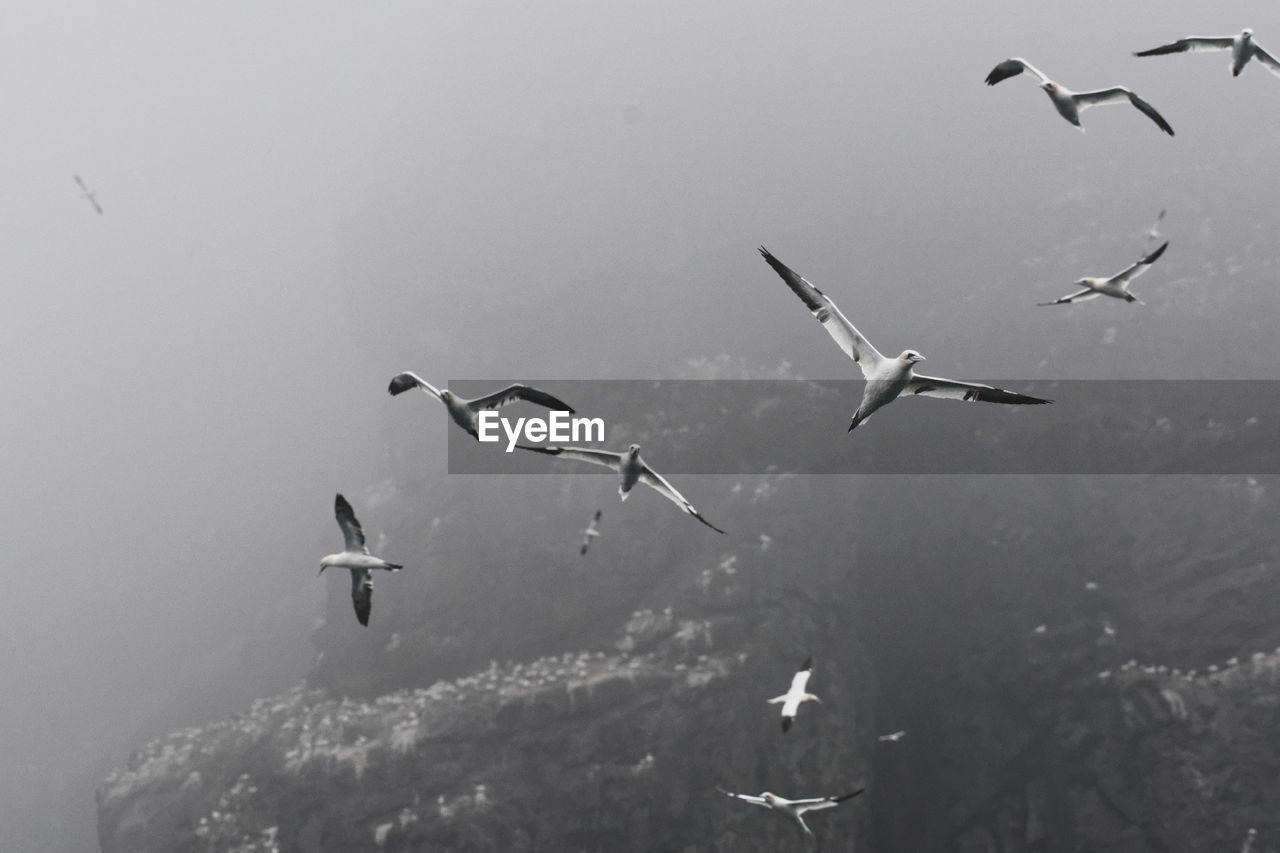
x=304, y=199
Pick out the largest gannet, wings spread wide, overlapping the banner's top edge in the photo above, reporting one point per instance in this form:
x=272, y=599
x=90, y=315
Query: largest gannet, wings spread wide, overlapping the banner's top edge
x=886, y=378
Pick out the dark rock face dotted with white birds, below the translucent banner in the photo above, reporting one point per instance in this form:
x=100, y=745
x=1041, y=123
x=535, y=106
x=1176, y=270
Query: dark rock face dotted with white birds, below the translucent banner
x=995, y=619
